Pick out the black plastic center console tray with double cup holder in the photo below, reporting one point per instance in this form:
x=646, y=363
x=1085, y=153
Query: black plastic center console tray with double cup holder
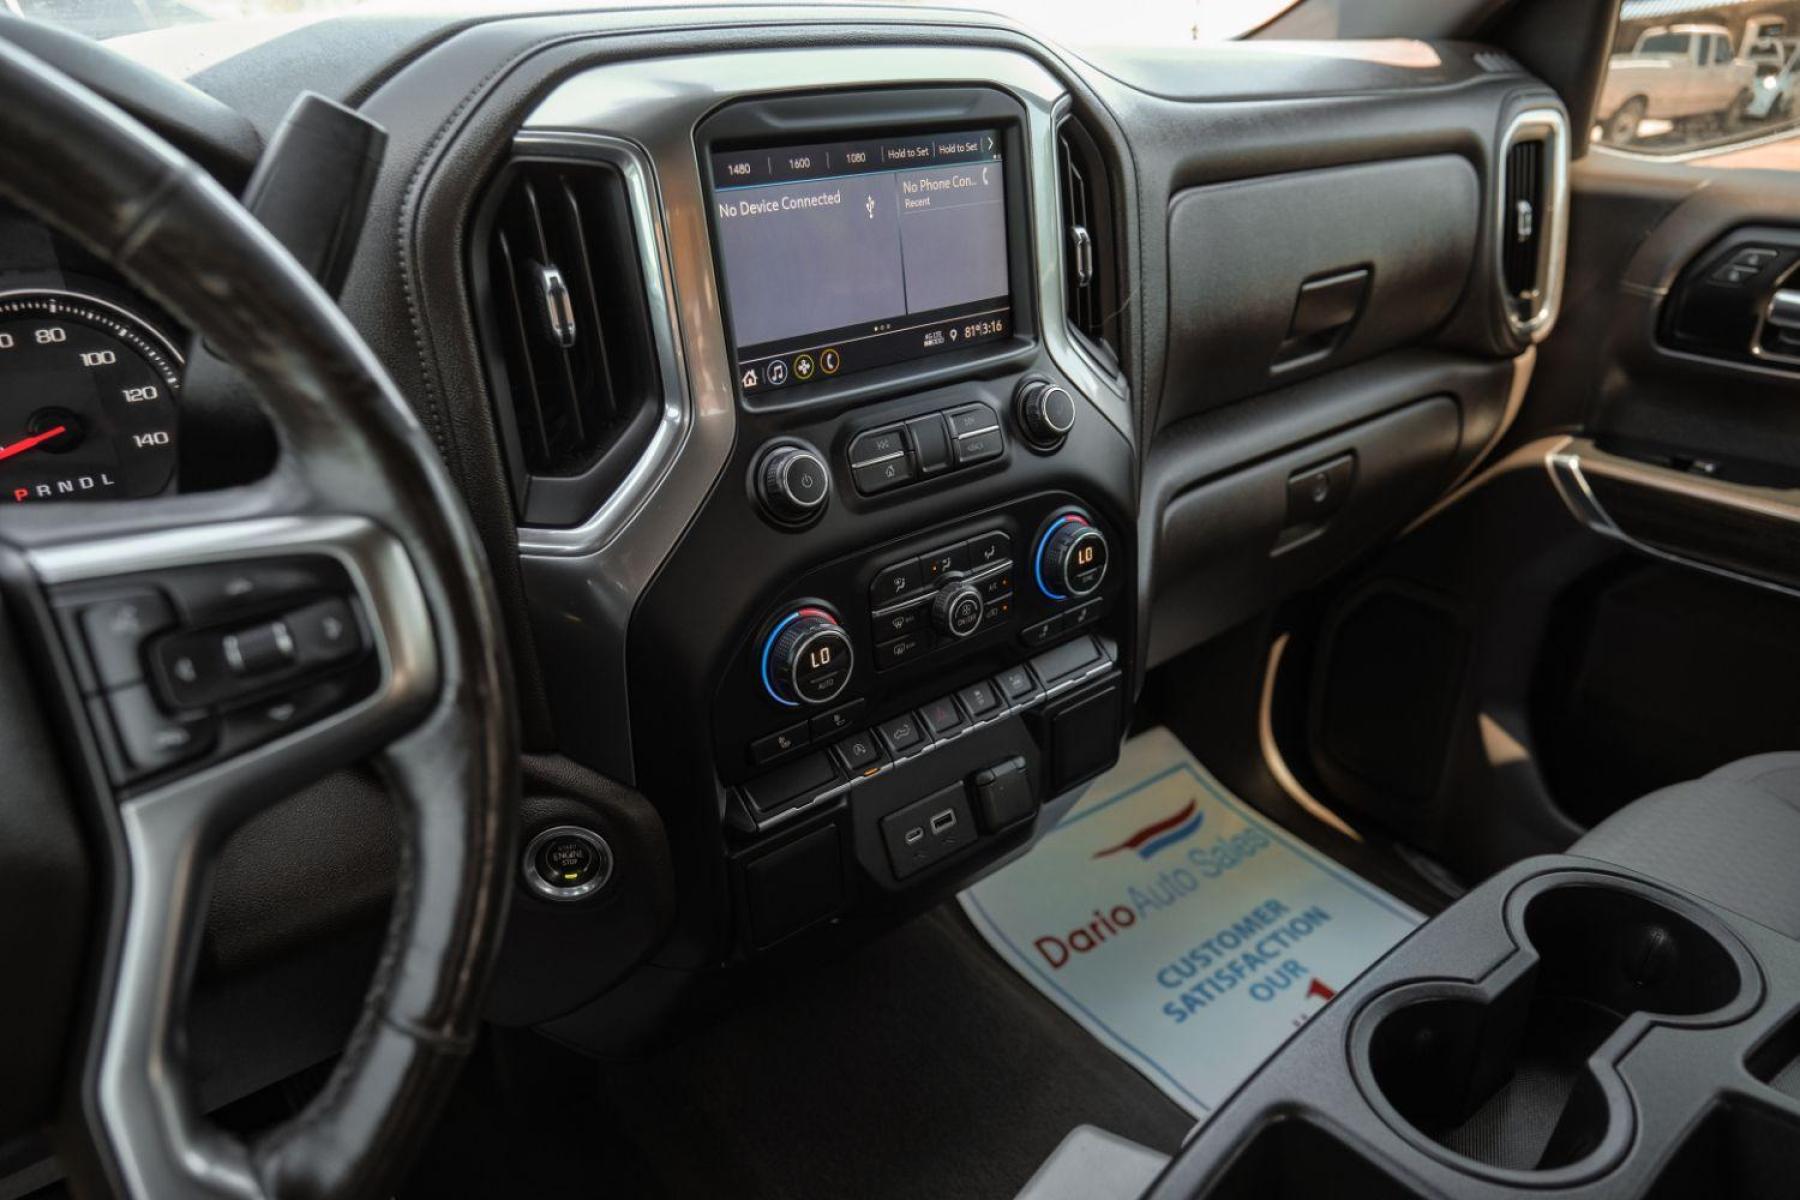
x=1567, y=1028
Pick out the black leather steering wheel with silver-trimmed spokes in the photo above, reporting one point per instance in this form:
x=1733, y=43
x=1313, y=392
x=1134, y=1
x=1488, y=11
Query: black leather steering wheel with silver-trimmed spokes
x=363, y=514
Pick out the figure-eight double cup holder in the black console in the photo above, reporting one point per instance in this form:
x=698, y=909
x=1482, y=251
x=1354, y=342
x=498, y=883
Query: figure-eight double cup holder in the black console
x=1513, y=1077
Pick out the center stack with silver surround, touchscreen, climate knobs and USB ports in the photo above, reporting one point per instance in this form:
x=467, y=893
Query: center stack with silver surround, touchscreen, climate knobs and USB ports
x=897, y=634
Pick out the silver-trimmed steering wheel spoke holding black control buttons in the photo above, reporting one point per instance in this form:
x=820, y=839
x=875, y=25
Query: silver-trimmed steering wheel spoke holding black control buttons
x=220, y=667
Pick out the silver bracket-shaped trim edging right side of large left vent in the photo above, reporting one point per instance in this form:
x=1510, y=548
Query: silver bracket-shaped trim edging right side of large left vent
x=660, y=294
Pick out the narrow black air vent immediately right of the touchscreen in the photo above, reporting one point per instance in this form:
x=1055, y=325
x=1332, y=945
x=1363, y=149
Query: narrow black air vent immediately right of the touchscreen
x=1090, y=253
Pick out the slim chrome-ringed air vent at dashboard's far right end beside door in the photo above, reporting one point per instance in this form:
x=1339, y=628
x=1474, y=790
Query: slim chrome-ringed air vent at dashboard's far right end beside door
x=1533, y=224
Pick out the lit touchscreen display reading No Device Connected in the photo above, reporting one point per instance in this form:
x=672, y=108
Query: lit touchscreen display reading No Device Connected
x=845, y=256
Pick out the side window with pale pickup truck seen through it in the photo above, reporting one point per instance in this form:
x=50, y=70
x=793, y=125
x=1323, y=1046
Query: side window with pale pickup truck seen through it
x=1702, y=80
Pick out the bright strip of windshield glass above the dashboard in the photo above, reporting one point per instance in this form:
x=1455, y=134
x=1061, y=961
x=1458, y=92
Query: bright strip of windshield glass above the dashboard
x=1155, y=22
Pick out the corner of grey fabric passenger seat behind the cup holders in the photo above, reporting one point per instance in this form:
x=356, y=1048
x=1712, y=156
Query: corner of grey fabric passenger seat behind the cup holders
x=1731, y=837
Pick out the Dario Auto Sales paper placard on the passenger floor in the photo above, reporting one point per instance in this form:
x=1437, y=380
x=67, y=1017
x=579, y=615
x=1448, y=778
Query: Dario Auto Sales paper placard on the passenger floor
x=1182, y=929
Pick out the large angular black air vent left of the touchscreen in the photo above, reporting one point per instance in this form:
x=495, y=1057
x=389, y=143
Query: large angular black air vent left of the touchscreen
x=571, y=357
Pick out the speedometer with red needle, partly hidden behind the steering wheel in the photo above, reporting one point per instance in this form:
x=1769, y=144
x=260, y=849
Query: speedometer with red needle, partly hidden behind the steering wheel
x=87, y=400
